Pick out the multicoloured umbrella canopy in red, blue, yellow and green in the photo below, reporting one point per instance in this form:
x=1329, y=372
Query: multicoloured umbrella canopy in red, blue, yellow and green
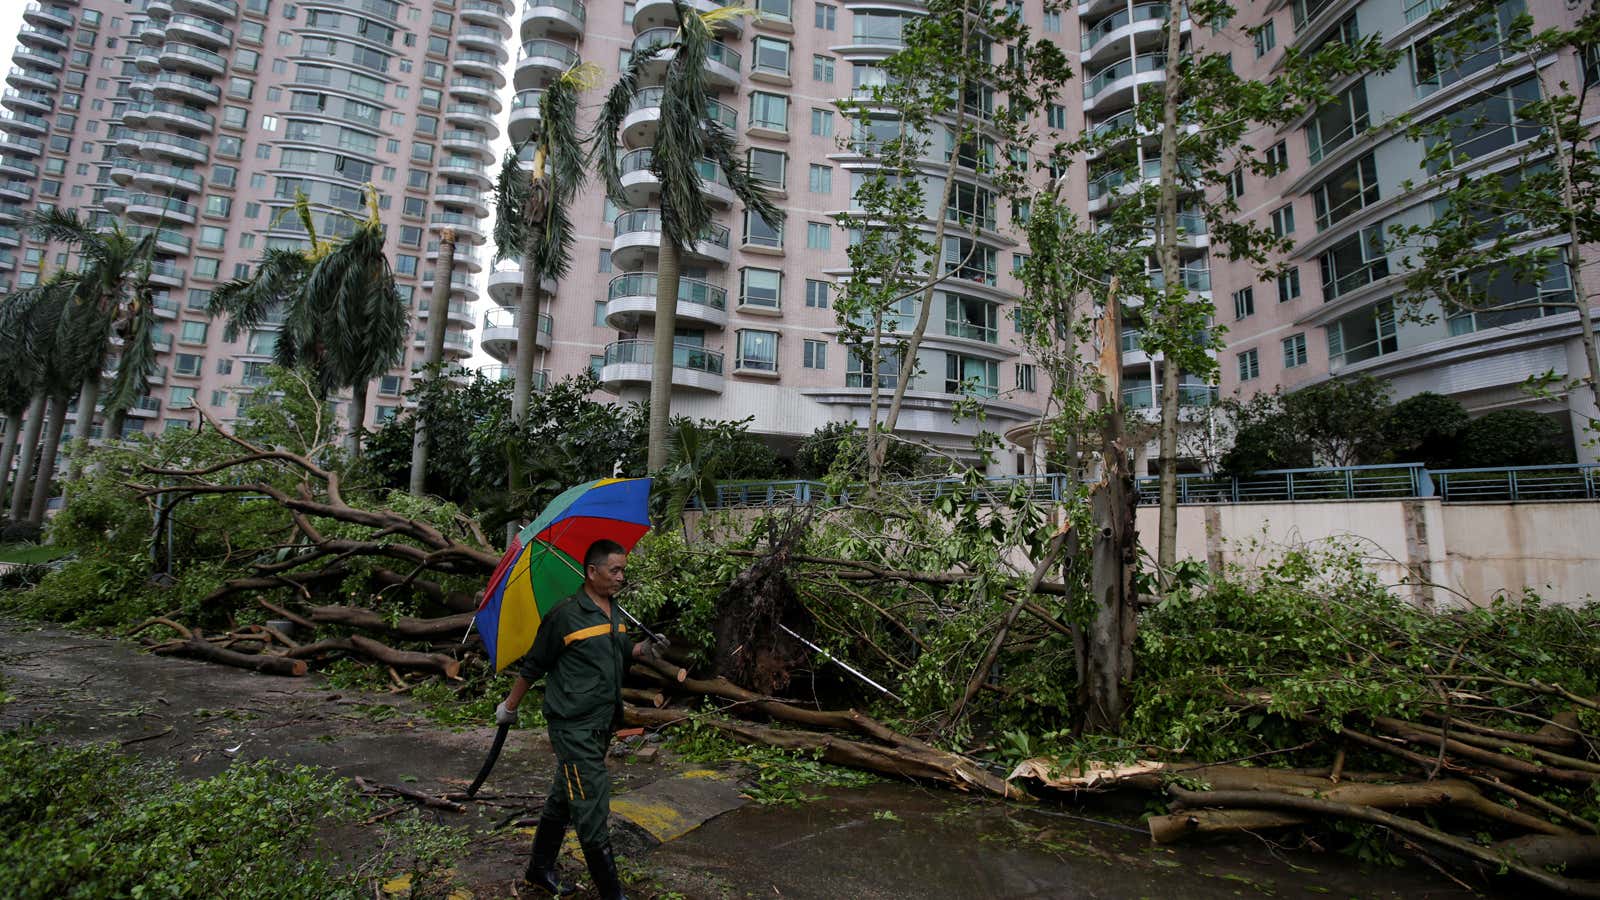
x=543, y=566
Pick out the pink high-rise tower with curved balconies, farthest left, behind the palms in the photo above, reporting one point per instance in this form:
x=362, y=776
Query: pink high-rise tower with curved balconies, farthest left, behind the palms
x=204, y=119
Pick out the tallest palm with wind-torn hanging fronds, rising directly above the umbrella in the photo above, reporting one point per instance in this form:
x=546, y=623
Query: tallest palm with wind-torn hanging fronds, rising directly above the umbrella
x=684, y=139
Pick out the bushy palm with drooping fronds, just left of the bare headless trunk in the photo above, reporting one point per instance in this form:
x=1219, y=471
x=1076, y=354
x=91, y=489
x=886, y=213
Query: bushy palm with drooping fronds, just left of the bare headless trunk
x=343, y=316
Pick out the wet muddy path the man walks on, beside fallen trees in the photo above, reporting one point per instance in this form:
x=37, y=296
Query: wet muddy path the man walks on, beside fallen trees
x=684, y=829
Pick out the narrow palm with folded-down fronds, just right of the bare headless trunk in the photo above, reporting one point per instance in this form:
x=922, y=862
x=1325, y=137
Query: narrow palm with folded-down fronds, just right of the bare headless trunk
x=532, y=214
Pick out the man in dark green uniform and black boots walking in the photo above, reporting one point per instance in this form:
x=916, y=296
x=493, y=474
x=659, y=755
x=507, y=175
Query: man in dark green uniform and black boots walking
x=582, y=651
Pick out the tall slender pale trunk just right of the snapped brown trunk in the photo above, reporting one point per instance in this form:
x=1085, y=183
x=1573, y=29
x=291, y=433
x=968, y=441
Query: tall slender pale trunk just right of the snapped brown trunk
x=1167, y=252
